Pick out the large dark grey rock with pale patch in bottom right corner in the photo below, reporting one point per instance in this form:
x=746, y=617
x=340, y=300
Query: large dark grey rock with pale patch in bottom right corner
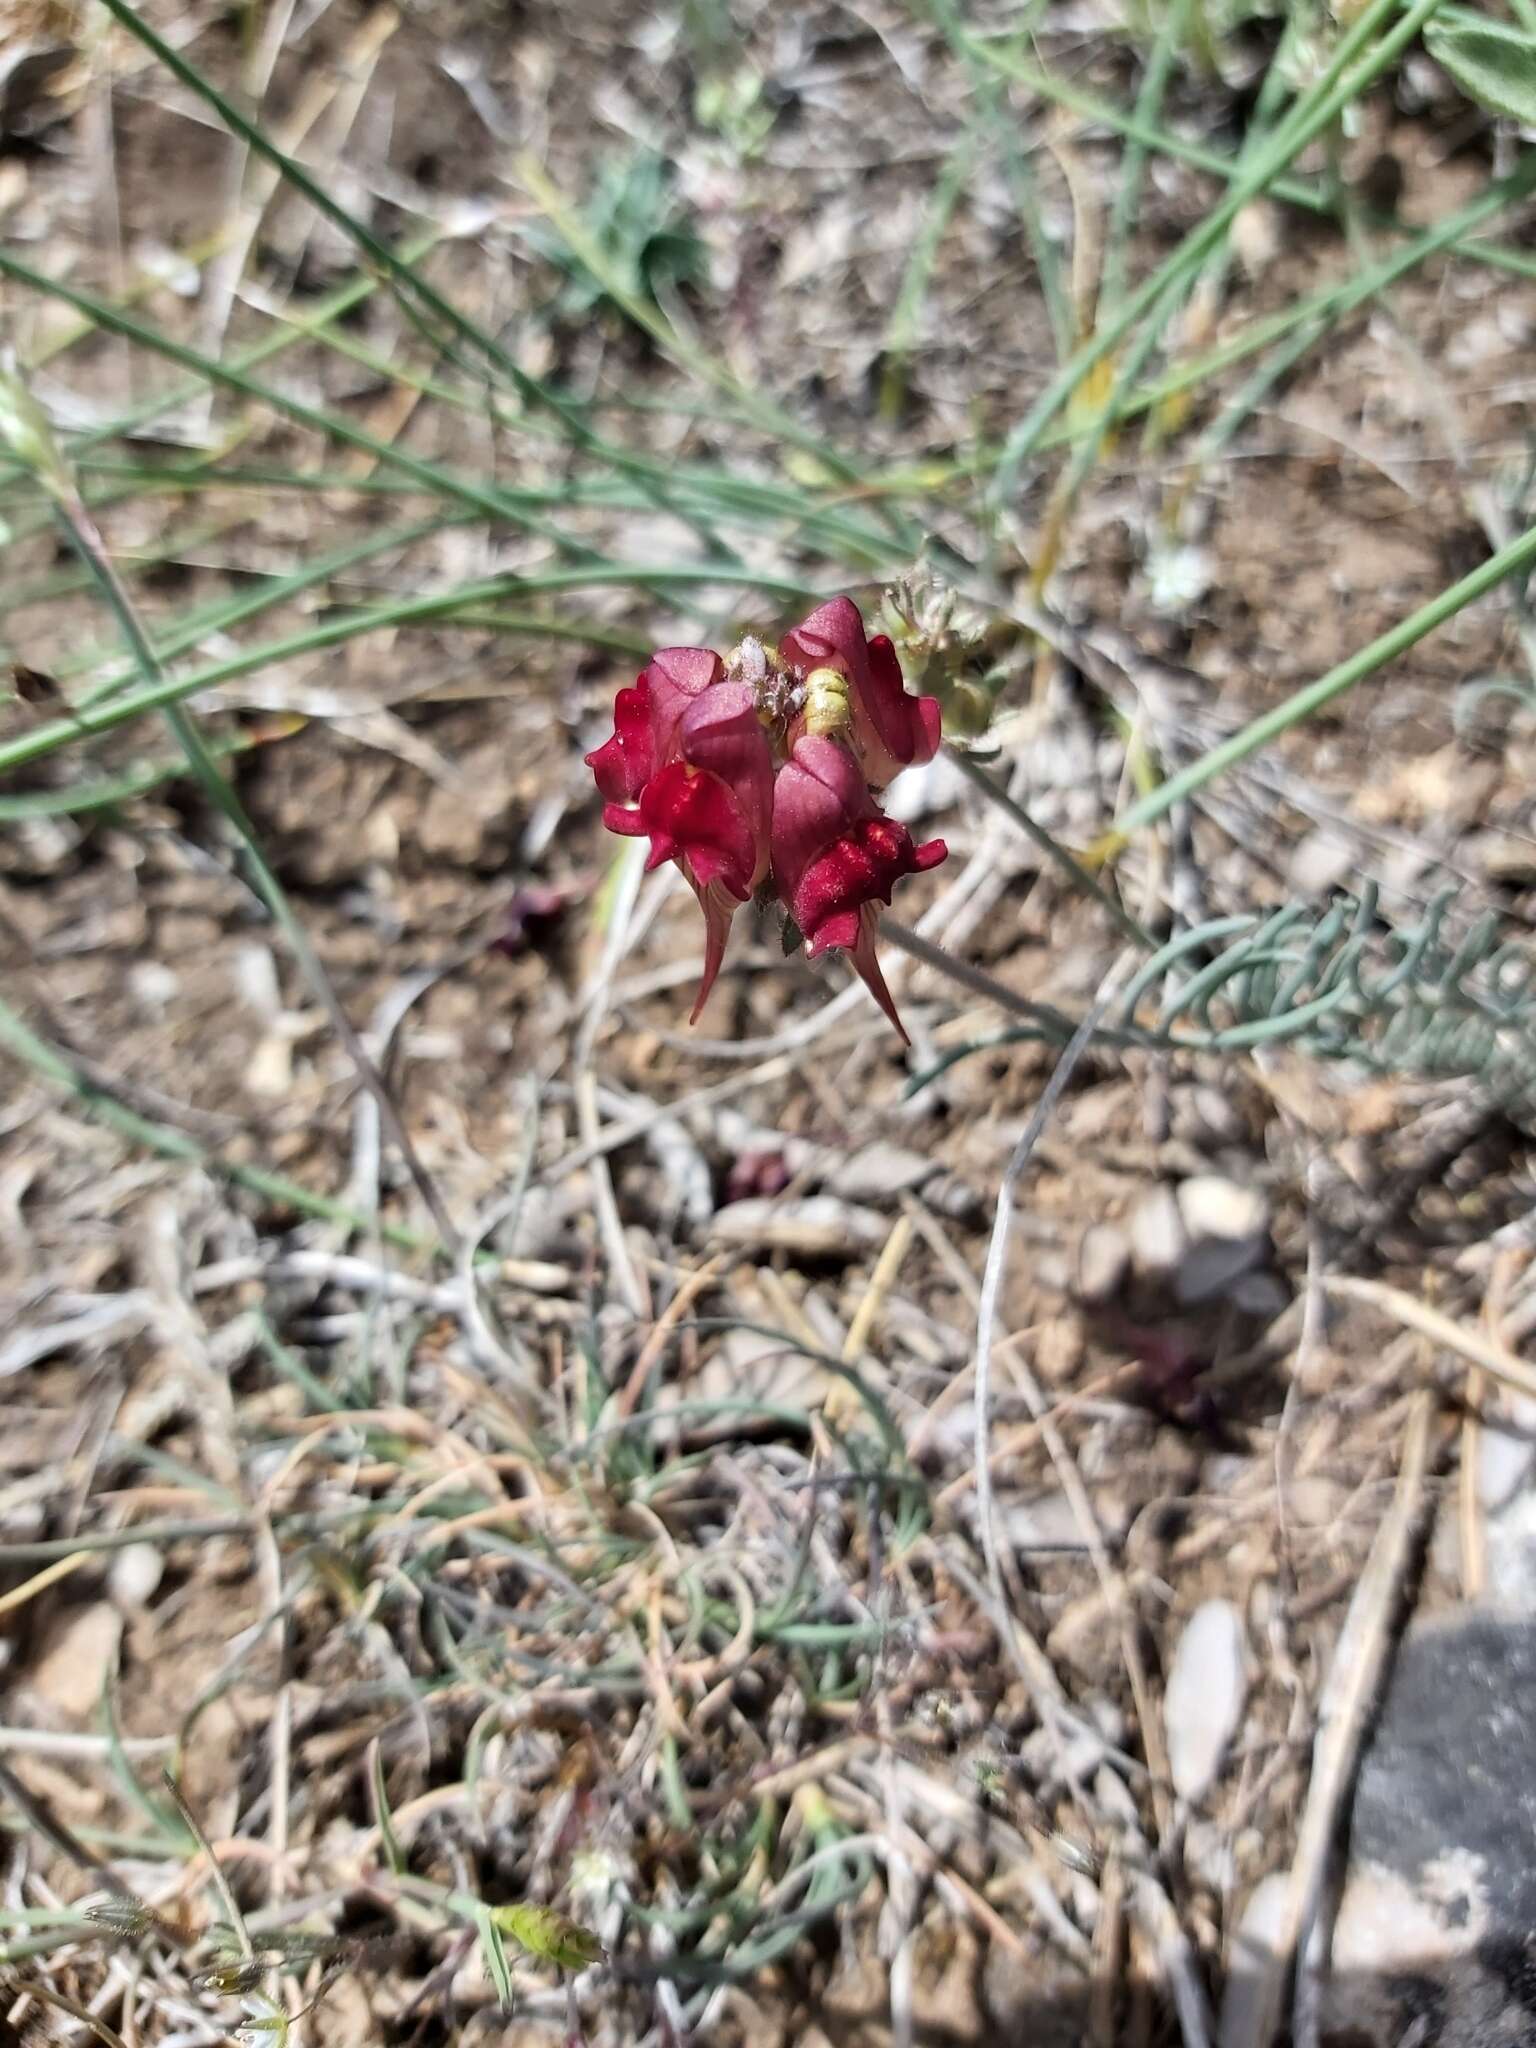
x=1437, y=1928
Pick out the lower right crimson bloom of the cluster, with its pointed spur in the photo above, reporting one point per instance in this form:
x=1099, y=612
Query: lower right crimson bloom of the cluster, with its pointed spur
x=837, y=855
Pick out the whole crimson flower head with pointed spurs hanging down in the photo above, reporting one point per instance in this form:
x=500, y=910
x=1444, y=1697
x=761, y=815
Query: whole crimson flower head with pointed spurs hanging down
x=759, y=777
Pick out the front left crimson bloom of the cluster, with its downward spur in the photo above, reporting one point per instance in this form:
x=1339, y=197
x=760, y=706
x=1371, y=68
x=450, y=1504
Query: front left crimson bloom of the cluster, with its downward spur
x=695, y=757
